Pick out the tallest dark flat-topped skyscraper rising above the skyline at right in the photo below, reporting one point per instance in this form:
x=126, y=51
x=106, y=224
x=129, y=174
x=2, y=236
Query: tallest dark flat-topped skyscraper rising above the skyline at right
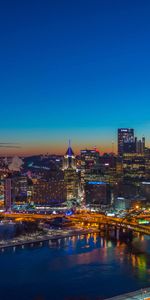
x=126, y=141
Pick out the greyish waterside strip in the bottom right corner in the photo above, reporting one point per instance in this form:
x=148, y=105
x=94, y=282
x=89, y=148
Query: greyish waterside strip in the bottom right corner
x=142, y=294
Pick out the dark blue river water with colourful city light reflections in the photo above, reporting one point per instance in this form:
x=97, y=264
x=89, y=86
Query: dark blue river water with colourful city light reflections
x=84, y=268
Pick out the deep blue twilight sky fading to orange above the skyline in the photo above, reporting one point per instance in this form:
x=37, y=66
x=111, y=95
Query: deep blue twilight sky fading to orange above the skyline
x=75, y=69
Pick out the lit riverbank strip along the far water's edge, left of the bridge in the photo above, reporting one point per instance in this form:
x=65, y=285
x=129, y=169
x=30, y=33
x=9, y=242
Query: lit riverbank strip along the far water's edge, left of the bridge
x=49, y=236
